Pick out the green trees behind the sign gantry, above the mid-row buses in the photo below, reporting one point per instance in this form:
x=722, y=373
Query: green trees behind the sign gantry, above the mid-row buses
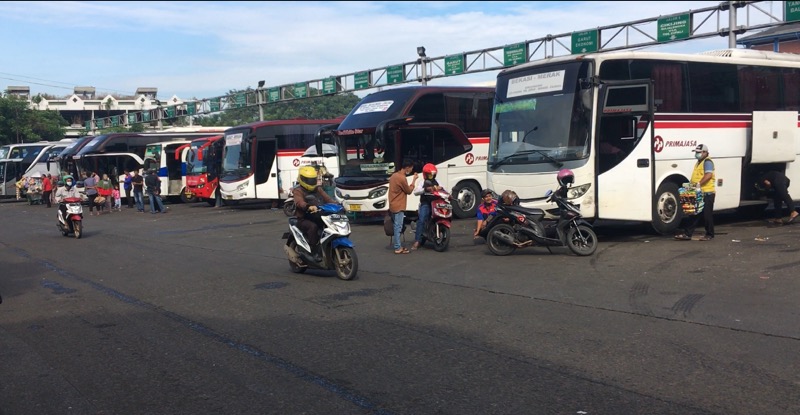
x=321, y=107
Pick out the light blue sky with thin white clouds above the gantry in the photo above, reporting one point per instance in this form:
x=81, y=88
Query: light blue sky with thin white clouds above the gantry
x=205, y=49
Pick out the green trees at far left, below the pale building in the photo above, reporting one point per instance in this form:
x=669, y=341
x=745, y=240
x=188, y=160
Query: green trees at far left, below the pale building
x=21, y=124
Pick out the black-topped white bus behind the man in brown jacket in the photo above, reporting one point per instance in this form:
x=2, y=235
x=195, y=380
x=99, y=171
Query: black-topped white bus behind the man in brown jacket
x=446, y=126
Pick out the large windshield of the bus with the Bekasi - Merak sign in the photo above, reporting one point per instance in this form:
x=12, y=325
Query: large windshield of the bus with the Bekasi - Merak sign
x=541, y=115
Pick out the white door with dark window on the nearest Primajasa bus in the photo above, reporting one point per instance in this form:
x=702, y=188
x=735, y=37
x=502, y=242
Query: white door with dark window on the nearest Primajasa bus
x=623, y=151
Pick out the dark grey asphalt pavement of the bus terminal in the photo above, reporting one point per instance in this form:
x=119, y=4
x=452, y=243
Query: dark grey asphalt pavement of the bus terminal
x=197, y=312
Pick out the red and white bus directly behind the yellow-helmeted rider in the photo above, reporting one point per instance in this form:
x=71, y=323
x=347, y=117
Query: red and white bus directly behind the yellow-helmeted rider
x=261, y=160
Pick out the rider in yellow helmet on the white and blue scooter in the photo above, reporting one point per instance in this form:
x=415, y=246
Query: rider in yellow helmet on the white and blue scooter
x=307, y=195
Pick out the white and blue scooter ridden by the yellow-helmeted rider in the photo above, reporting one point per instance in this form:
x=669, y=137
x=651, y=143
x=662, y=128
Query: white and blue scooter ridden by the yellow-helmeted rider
x=337, y=251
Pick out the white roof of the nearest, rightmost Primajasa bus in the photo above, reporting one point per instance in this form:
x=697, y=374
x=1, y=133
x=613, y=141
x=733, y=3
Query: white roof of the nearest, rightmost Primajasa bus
x=733, y=56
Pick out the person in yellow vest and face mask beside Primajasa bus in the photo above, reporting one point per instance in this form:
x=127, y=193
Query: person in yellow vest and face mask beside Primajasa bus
x=703, y=178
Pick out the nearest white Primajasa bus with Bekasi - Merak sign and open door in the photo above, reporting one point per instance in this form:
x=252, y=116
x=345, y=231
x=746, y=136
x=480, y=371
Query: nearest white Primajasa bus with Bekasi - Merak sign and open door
x=627, y=123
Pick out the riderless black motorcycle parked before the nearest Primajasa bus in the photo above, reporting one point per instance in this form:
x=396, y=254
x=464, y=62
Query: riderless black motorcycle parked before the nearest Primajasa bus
x=517, y=227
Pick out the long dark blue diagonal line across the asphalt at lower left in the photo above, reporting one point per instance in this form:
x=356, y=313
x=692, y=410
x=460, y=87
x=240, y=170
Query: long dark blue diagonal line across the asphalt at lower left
x=278, y=362
